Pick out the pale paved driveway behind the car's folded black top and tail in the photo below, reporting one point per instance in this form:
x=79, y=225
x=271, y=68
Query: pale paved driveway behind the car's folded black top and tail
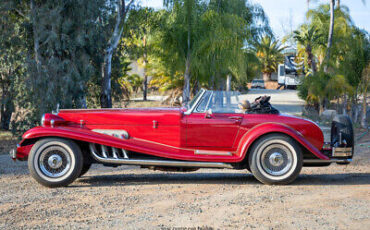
x=286, y=101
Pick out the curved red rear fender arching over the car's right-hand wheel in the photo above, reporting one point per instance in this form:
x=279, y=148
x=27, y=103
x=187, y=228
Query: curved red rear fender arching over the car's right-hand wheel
x=267, y=128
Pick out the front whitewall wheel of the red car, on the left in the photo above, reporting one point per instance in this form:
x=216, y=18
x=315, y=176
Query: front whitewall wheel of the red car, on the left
x=55, y=162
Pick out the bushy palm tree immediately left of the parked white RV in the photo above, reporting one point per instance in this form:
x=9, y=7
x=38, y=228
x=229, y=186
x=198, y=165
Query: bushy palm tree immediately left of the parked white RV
x=269, y=53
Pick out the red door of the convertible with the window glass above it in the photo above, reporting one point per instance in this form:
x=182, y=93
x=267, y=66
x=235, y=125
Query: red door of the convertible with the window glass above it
x=217, y=129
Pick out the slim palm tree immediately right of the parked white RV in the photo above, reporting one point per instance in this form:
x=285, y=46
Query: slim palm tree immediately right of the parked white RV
x=309, y=37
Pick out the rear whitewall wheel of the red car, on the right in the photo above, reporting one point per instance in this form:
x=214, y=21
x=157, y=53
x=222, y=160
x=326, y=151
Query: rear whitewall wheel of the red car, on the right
x=275, y=159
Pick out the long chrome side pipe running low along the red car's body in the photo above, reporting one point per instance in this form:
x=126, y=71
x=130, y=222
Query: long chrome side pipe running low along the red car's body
x=170, y=163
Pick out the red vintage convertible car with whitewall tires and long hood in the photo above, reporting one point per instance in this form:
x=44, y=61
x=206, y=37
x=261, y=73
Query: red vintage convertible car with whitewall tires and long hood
x=210, y=132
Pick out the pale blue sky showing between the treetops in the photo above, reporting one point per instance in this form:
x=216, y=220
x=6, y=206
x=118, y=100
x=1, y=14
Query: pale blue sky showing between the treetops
x=287, y=15
